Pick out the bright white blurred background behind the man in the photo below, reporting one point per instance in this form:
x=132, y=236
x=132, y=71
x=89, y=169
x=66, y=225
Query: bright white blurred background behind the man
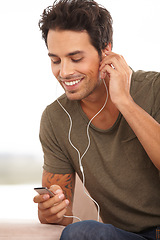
x=27, y=86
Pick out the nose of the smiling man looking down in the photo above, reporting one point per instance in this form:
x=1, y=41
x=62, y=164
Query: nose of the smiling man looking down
x=66, y=69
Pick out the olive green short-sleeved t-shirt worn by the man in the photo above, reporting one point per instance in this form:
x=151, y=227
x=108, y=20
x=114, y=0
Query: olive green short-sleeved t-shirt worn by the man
x=118, y=173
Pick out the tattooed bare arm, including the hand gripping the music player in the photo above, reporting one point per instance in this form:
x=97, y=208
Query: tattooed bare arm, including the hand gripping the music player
x=52, y=210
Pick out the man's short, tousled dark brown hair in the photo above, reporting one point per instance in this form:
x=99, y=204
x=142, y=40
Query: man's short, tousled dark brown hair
x=79, y=15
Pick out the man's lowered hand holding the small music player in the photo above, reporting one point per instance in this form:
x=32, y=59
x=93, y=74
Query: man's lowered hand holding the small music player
x=52, y=210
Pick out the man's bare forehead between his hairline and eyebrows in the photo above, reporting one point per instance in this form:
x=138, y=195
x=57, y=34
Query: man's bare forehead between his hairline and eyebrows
x=65, y=41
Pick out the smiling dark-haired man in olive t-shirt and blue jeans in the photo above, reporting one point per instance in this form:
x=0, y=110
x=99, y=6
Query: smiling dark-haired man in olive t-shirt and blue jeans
x=105, y=126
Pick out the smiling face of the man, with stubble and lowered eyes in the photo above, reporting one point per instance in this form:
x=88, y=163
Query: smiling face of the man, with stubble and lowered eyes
x=74, y=62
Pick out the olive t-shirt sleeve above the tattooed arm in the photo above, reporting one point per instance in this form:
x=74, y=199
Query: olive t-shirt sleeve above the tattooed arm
x=55, y=160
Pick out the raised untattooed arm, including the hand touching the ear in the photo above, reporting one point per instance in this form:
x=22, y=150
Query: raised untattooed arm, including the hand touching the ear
x=145, y=127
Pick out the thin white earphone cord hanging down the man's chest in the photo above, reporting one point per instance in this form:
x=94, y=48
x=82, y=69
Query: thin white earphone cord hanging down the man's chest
x=81, y=157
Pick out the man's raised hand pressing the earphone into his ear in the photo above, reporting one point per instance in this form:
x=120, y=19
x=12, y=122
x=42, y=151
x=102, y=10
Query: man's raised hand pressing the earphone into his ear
x=115, y=67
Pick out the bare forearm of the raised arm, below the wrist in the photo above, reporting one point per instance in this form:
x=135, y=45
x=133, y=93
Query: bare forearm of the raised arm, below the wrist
x=145, y=127
